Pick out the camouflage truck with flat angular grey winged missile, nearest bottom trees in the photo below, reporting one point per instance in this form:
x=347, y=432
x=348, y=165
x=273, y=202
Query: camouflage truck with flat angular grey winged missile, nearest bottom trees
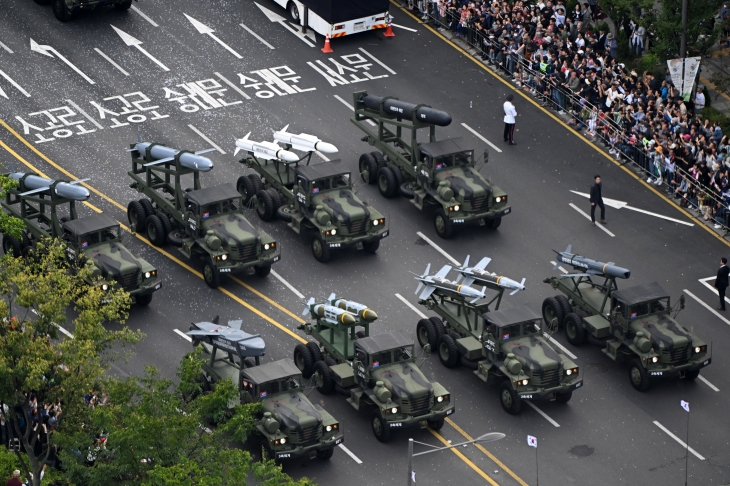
x=289, y=425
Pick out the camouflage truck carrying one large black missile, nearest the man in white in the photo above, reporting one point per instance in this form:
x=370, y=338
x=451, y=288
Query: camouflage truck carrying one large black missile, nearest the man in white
x=436, y=175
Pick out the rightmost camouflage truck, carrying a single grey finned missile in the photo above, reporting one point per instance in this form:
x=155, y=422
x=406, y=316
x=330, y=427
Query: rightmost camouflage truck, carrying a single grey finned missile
x=633, y=325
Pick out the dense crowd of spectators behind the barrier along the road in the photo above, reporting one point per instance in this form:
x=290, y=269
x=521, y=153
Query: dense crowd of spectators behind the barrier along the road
x=569, y=62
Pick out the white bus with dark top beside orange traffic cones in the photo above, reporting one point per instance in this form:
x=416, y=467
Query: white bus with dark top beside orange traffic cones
x=338, y=17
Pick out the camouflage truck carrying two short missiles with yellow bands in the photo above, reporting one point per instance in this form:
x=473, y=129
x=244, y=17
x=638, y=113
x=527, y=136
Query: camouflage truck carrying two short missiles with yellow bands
x=378, y=374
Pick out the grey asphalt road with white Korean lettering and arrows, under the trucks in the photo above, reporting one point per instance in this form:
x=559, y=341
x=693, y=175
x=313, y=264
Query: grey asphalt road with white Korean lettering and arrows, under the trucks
x=81, y=112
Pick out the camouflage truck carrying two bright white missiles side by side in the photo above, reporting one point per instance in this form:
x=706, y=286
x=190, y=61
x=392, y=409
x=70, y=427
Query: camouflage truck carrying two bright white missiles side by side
x=316, y=200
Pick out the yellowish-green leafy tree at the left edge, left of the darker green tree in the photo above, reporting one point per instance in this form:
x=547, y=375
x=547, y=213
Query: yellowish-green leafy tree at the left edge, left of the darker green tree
x=35, y=361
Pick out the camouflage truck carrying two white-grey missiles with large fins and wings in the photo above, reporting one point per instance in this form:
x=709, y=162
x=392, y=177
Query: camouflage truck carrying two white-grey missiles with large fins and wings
x=504, y=347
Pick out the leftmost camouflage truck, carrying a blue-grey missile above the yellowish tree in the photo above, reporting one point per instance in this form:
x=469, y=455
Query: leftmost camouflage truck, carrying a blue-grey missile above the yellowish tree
x=95, y=240
